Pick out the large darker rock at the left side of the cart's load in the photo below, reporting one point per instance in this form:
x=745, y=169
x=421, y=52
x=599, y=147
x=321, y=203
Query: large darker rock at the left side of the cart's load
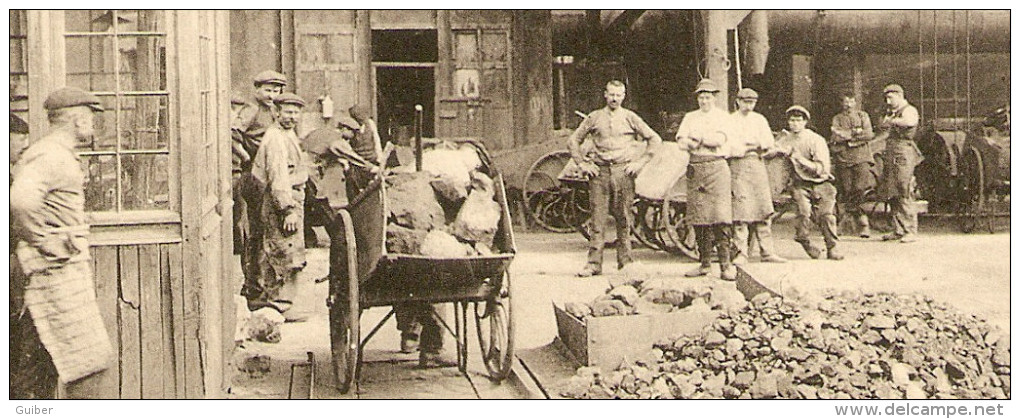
x=413, y=202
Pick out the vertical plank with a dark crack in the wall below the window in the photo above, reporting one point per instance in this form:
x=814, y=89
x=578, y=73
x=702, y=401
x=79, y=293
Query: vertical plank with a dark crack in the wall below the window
x=131, y=348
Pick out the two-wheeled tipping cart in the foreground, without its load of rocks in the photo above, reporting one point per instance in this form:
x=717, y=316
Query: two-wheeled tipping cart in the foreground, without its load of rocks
x=479, y=286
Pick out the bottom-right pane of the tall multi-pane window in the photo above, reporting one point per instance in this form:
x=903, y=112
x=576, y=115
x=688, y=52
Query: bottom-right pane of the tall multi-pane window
x=145, y=180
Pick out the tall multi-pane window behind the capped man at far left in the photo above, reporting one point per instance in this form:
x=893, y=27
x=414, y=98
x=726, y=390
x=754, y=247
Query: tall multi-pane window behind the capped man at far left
x=121, y=57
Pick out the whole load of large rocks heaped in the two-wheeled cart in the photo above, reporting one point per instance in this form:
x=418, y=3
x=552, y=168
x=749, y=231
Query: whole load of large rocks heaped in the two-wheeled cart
x=447, y=211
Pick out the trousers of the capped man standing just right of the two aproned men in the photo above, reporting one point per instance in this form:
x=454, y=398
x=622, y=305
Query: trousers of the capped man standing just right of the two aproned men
x=815, y=203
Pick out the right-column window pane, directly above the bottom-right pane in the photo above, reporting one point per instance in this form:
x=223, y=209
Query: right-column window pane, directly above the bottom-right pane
x=144, y=123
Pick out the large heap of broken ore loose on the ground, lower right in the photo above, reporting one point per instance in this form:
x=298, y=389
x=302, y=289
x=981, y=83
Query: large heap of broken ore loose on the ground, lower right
x=845, y=346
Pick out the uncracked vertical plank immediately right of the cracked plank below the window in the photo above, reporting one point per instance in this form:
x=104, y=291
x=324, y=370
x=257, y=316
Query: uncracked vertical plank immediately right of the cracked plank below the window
x=151, y=327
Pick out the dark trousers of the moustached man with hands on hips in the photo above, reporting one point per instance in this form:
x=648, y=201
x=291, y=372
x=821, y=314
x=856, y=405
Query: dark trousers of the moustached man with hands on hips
x=611, y=192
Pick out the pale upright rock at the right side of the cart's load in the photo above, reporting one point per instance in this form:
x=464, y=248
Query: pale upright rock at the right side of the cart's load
x=479, y=219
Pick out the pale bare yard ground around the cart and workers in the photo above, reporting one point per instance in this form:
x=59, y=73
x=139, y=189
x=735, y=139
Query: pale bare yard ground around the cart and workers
x=970, y=272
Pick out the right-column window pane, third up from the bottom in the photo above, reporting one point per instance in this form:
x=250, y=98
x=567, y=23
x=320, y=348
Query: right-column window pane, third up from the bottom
x=143, y=64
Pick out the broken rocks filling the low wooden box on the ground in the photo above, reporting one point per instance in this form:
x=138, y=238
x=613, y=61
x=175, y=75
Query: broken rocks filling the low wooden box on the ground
x=637, y=297
